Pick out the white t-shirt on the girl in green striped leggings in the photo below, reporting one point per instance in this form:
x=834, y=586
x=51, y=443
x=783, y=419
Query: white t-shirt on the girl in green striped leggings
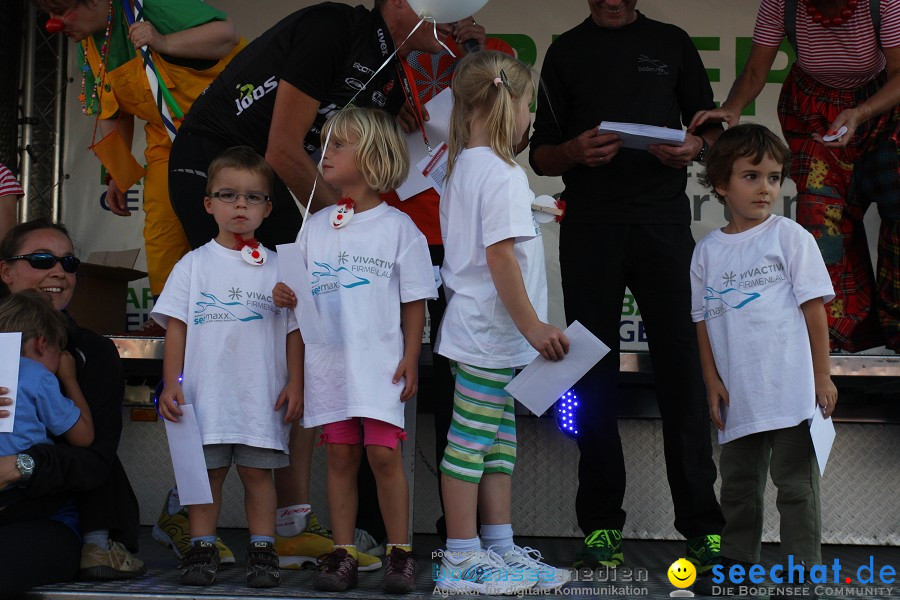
x=486, y=201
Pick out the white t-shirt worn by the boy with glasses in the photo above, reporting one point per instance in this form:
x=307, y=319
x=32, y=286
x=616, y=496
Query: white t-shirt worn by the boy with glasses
x=234, y=360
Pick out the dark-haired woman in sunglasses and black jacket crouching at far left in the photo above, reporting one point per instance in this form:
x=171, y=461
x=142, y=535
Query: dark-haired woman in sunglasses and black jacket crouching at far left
x=39, y=545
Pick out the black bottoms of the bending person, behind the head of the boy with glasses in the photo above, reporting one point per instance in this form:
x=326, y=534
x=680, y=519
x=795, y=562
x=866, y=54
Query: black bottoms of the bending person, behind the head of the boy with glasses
x=188, y=164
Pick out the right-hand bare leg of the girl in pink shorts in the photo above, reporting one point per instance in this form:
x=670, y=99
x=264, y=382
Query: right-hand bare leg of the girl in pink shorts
x=393, y=491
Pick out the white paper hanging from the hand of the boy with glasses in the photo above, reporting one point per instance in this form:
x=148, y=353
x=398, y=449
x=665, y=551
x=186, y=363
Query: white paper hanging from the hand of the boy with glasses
x=186, y=449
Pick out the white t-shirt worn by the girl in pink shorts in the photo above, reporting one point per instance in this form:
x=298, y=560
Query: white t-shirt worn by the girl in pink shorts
x=359, y=276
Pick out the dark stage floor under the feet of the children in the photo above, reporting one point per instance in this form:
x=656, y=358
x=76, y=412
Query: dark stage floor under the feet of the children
x=643, y=575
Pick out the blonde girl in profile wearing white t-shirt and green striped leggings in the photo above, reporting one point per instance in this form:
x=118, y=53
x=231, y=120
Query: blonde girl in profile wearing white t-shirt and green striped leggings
x=495, y=279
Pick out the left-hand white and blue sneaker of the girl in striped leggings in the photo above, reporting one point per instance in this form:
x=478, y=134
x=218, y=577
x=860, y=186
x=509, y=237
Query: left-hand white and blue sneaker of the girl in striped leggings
x=484, y=572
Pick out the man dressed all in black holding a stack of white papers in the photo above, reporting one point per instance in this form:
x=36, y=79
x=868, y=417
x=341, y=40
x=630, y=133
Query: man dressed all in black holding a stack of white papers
x=627, y=223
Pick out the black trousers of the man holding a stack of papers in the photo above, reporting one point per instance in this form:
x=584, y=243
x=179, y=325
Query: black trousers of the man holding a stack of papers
x=597, y=262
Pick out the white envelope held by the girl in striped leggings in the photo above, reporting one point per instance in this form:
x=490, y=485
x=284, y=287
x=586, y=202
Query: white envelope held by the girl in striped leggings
x=541, y=383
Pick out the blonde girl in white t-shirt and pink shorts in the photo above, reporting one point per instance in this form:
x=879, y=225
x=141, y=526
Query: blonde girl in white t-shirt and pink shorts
x=370, y=274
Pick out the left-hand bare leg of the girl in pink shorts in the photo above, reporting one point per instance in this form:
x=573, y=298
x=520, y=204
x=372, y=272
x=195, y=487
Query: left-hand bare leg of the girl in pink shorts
x=343, y=465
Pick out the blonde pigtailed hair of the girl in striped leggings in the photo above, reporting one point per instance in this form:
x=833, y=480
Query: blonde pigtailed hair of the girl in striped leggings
x=488, y=84
